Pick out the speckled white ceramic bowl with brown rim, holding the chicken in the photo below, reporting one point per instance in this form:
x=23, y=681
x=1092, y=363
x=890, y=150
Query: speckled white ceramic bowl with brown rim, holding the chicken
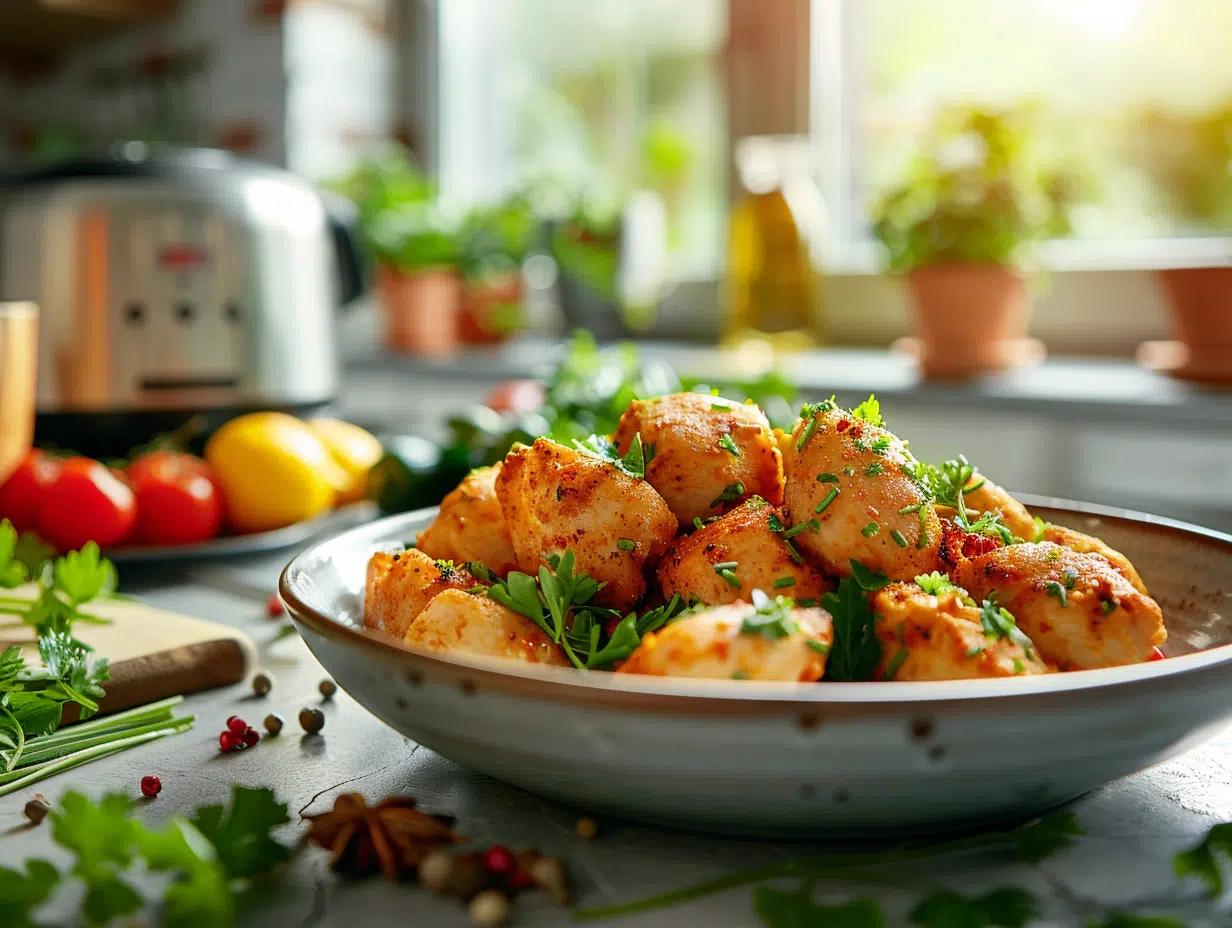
x=831, y=759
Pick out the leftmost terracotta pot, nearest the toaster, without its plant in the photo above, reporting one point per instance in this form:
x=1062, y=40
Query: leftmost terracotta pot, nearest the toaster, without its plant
x=421, y=310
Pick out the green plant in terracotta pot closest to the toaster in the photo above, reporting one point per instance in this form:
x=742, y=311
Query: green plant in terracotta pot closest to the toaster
x=416, y=243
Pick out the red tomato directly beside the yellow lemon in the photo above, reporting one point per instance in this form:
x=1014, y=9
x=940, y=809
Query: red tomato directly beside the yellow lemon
x=178, y=501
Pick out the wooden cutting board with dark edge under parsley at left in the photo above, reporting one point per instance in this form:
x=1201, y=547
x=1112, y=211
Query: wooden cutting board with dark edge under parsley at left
x=153, y=654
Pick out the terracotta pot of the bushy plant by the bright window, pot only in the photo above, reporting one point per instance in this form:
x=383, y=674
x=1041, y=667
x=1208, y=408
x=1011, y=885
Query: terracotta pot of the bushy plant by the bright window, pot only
x=970, y=319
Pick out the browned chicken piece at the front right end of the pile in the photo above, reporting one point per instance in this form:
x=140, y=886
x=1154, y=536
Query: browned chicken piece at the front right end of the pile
x=1079, y=611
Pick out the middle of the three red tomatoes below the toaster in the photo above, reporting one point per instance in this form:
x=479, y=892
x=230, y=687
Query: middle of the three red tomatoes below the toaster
x=87, y=503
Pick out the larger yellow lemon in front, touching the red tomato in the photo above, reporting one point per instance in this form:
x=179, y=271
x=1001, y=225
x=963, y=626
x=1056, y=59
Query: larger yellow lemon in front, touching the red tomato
x=273, y=471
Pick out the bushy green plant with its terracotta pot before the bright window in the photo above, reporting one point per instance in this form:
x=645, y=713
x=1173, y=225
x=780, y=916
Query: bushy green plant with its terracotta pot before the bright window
x=960, y=227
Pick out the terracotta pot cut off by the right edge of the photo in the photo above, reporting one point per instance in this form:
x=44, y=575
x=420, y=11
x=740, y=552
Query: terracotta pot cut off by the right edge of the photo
x=1202, y=319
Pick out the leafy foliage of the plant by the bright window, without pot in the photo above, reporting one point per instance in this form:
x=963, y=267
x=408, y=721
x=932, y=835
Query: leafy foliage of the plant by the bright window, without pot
x=978, y=193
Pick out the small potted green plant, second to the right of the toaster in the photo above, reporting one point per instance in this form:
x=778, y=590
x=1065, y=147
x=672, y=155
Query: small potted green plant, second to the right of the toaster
x=496, y=241
